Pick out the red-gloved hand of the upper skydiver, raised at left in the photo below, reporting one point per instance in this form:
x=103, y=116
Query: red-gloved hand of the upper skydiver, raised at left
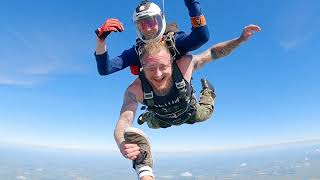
x=111, y=25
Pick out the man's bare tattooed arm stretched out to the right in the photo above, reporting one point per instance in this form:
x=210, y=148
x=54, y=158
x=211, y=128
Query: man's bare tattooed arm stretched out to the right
x=224, y=48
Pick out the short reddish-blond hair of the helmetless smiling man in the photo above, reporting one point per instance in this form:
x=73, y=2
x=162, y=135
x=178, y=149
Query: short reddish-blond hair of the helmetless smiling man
x=153, y=48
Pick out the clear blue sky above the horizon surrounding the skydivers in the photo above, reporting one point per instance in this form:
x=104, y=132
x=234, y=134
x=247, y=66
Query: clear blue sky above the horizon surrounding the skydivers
x=51, y=93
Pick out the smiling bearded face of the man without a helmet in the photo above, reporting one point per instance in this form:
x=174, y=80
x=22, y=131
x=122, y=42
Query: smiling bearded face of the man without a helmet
x=158, y=69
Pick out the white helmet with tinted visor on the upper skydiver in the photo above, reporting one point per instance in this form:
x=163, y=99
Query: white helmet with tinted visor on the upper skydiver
x=149, y=22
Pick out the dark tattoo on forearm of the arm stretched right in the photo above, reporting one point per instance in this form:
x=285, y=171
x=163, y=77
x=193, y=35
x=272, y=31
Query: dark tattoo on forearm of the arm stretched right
x=224, y=48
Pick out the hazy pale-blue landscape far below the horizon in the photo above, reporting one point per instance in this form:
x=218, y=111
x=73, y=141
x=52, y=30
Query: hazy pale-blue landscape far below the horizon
x=286, y=161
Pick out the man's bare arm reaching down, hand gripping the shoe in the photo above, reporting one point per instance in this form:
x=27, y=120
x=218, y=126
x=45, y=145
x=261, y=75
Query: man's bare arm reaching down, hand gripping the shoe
x=128, y=110
